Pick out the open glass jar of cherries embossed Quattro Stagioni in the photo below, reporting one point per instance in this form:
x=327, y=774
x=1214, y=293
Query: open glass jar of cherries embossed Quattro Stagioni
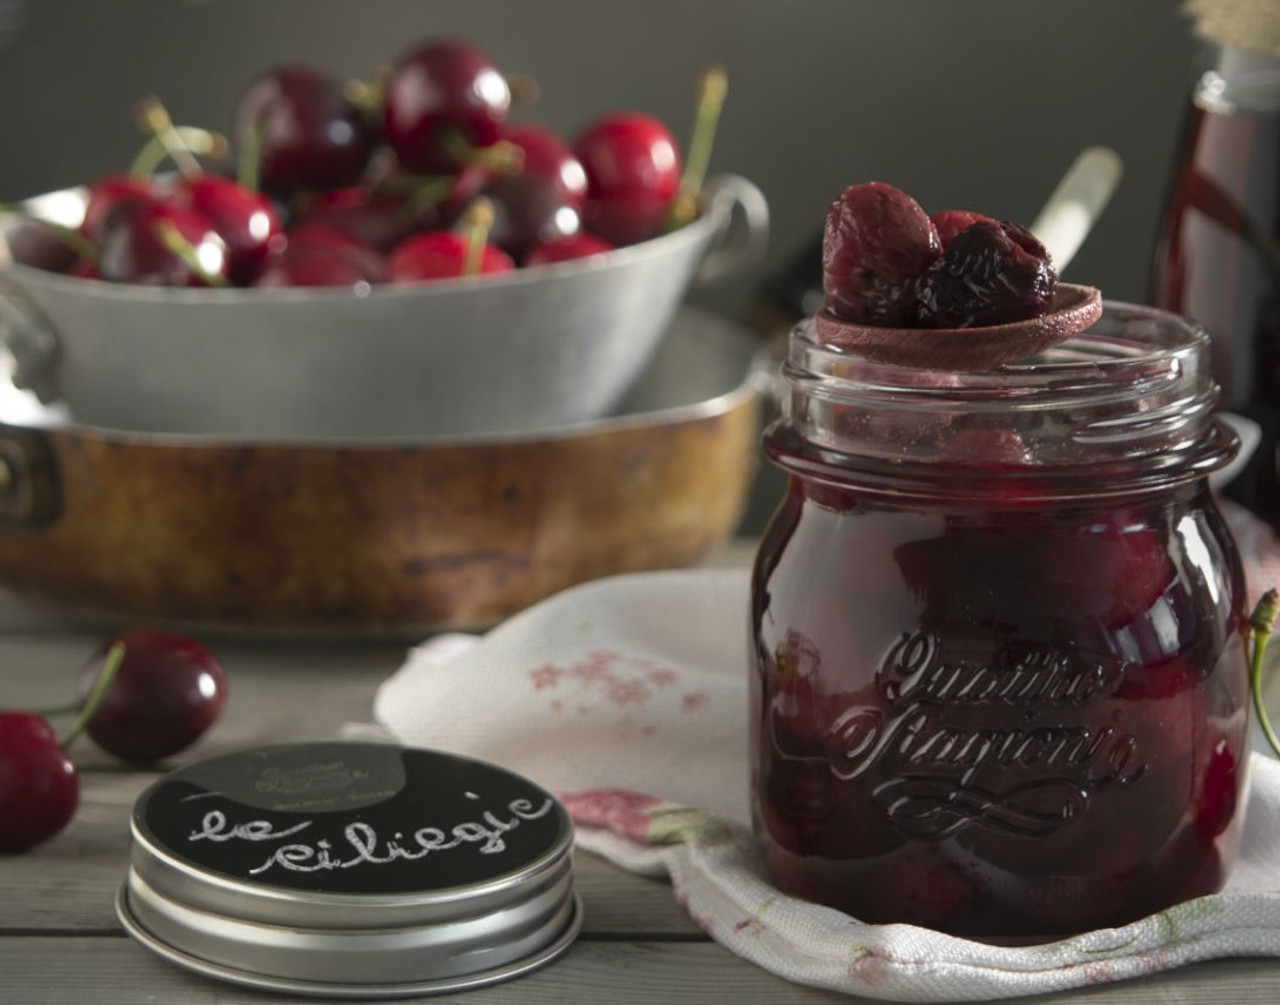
x=999, y=636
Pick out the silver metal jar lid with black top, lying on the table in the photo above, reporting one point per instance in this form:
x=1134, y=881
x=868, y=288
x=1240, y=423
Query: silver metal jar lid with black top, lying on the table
x=351, y=870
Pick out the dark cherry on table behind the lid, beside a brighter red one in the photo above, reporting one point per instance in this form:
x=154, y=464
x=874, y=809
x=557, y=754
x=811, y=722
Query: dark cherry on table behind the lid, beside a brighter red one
x=167, y=692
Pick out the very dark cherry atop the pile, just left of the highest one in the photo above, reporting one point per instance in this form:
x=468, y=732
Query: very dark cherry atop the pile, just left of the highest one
x=312, y=135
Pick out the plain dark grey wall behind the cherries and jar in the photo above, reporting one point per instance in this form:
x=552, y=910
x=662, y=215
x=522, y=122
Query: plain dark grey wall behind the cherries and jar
x=976, y=104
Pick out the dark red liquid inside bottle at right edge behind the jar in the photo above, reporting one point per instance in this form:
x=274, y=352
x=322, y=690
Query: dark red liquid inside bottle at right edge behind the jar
x=1218, y=263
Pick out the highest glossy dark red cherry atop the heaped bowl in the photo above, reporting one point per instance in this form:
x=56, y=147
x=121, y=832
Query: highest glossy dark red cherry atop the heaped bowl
x=444, y=102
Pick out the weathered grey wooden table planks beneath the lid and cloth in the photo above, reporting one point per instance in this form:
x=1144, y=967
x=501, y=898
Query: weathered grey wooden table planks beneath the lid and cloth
x=61, y=942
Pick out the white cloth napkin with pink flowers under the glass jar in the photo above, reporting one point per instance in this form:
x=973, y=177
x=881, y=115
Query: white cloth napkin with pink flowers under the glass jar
x=628, y=698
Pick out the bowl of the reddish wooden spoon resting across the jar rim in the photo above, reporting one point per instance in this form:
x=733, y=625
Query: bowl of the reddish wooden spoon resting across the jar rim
x=1075, y=309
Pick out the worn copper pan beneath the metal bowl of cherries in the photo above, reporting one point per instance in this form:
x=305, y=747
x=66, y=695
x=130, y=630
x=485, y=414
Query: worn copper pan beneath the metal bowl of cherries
x=381, y=538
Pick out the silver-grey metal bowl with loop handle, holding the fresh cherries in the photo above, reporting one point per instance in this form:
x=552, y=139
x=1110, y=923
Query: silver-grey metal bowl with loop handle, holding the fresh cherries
x=538, y=349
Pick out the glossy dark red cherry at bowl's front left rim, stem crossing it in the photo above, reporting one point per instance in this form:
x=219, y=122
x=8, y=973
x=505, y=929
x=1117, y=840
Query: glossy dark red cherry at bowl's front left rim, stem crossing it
x=135, y=249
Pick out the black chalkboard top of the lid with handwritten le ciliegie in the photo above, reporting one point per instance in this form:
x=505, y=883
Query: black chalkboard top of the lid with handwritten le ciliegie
x=353, y=819
